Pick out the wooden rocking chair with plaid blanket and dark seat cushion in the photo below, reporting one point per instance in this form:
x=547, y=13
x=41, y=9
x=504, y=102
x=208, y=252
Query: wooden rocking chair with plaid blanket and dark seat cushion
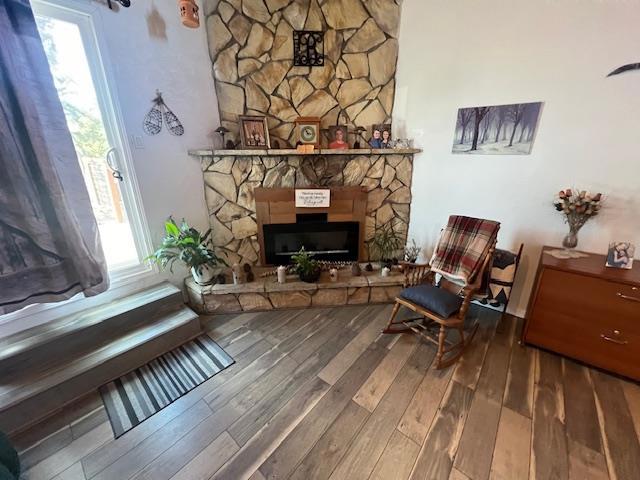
x=462, y=259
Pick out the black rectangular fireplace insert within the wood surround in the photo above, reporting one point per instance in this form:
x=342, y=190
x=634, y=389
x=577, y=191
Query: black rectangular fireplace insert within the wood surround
x=332, y=241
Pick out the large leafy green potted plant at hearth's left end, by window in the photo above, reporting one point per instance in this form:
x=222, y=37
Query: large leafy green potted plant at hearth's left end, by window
x=189, y=246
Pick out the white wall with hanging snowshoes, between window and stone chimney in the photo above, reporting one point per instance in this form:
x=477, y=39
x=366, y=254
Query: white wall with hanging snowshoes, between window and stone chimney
x=170, y=181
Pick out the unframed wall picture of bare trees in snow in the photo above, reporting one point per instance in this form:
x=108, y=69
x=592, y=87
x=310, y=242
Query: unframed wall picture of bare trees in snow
x=496, y=130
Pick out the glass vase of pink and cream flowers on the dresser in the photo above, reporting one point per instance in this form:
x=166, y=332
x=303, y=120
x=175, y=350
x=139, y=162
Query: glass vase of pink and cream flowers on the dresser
x=577, y=207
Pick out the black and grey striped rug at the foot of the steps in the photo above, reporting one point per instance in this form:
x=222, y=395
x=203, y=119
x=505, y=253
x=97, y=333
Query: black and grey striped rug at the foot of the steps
x=136, y=396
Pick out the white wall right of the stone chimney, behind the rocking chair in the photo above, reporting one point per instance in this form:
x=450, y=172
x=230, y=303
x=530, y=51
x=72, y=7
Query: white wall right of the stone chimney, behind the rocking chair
x=468, y=53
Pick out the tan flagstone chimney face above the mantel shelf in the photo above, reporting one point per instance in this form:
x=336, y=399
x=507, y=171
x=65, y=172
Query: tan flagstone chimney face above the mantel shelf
x=252, y=51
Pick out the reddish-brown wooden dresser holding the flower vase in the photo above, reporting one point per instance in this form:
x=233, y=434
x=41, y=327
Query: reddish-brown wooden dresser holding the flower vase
x=584, y=310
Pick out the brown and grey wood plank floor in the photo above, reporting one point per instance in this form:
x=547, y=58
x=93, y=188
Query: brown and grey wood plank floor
x=319, y=393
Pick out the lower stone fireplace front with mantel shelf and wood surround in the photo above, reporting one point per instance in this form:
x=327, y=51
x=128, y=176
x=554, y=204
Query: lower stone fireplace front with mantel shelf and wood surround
x=233, y=179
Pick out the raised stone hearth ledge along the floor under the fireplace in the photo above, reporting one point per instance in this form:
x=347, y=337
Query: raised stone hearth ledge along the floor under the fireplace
x=266, y=294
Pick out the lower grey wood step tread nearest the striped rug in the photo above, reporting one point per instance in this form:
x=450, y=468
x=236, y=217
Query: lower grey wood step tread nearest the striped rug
x=85, y=363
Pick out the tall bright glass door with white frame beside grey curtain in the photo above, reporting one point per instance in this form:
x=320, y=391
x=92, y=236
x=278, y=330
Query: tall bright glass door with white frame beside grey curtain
x=70, y=39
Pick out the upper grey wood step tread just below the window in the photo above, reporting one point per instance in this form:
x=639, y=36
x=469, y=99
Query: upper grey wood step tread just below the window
x=48, y=332
